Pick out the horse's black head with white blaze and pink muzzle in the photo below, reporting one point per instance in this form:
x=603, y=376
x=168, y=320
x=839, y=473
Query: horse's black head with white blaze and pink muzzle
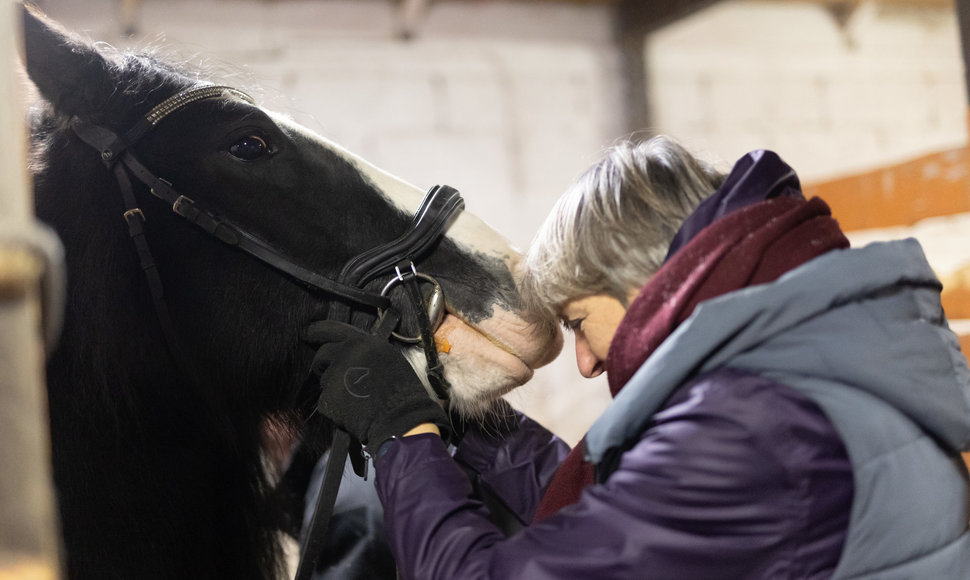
x=317, y=203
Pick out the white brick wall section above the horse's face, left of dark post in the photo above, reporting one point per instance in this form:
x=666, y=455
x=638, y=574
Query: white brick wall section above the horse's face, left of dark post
x=479, y=100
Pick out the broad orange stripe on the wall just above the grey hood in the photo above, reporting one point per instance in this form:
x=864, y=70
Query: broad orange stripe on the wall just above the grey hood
x=900, y=195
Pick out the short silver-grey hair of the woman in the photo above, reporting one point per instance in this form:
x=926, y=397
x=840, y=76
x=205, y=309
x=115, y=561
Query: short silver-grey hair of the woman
x=609, y=233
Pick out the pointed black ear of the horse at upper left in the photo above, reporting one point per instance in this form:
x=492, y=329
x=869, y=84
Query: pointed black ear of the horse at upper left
x=68, y=72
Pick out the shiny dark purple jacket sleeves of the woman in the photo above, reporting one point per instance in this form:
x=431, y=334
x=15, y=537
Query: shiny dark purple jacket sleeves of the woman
x=737, y=477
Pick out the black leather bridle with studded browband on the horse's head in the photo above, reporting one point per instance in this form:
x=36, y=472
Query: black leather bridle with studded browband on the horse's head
x=437, y=210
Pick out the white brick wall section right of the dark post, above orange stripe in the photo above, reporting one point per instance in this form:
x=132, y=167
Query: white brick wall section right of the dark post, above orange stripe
x=886, y=87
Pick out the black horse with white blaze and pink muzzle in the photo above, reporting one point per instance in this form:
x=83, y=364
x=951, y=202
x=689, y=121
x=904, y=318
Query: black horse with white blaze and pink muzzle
x=159, y=450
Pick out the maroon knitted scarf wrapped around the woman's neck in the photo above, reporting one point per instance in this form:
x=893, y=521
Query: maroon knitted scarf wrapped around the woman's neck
x=752, y=245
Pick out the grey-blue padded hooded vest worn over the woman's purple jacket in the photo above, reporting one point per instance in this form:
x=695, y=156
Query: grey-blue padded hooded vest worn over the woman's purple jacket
x=863, y=334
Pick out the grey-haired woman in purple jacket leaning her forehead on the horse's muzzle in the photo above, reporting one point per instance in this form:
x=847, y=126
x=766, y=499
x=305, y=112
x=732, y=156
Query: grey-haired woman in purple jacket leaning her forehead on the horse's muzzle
x=784, y=407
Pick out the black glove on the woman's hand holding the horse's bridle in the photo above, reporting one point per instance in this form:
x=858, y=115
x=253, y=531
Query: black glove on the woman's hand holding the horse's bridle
x=368, y=387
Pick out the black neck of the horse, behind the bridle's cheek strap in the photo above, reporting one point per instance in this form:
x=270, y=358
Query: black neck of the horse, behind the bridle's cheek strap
x=142, y=462
